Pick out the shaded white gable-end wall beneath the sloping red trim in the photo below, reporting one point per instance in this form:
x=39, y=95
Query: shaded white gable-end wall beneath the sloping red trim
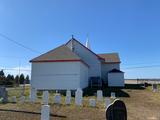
x=88, y=57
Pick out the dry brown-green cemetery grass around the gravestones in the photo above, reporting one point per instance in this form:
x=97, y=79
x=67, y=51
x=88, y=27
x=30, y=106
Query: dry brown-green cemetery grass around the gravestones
x=142, y=104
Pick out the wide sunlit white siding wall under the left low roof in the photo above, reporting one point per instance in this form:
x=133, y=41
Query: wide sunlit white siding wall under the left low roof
x=56, y=75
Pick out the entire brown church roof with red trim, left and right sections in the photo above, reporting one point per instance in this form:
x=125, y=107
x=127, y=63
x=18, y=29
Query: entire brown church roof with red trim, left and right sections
x=65, y=54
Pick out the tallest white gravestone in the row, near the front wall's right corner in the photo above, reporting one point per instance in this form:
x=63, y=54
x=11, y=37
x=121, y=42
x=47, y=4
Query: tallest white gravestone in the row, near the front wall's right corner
x=79, y=97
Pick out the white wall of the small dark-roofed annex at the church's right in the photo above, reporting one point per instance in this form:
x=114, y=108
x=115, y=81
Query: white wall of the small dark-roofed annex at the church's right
x=116, y=79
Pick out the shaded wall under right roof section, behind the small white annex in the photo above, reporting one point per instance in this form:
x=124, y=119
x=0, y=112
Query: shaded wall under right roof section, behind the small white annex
x=106, y=68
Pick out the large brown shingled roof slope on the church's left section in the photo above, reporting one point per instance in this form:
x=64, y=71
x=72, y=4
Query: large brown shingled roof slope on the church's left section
x=58, y=54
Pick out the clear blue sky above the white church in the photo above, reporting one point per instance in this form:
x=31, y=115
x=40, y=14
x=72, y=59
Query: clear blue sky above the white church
x=129, y=27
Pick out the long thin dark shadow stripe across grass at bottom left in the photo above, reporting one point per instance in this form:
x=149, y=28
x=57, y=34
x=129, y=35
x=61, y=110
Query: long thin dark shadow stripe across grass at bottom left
x=27, y=112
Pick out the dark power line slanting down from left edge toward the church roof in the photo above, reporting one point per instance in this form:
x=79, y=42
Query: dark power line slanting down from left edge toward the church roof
x=19, y=44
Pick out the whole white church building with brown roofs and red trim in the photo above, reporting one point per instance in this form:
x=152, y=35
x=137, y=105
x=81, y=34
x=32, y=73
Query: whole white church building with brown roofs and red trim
x=72, y=65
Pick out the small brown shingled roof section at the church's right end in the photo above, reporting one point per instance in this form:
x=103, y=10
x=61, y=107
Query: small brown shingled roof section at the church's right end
x=110, y=57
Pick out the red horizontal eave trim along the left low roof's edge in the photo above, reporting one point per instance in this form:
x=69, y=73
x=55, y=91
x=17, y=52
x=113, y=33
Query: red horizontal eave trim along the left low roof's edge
x=60, y=61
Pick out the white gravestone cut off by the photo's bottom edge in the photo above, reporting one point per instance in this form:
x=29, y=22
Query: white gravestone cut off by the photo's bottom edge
x=45, y=112
